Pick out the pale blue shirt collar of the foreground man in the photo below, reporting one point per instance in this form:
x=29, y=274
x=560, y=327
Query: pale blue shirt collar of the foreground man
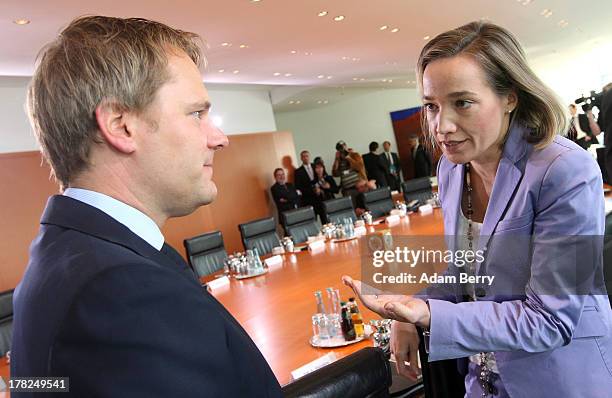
x=135, y=220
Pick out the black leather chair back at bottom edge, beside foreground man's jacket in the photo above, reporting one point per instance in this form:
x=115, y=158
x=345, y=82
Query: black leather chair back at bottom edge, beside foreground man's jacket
x=365, y=373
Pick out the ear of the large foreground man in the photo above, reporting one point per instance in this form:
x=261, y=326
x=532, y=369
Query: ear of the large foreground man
x=114, y=127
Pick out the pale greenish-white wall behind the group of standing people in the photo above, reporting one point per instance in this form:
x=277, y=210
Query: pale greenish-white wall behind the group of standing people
x=358, y=119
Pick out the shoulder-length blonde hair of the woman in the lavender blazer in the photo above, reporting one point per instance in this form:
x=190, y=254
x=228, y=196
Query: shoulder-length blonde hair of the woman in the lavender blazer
x=503, y=61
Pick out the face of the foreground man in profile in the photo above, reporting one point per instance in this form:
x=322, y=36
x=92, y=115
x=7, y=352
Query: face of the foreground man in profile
x=176, y=156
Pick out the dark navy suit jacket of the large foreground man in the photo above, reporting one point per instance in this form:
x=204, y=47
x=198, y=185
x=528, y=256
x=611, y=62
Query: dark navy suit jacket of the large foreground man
x=101, y=306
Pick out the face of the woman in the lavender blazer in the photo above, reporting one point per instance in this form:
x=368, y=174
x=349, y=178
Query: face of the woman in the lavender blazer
x=467, y=118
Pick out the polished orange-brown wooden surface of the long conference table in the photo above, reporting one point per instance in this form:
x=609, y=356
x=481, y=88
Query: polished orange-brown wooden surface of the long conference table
x=276, y=308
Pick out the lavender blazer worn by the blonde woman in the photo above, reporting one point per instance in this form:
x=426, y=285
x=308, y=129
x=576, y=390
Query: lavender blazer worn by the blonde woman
x=547, y=342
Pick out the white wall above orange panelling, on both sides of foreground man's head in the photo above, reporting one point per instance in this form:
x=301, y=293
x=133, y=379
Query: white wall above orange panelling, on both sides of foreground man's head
x=243, y=109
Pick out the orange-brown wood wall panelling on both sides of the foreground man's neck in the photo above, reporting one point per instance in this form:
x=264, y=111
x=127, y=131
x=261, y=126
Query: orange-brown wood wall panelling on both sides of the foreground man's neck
x=242, y=172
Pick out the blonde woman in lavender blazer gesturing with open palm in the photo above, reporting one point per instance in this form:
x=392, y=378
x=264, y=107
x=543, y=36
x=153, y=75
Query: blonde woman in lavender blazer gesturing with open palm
x=533, y=203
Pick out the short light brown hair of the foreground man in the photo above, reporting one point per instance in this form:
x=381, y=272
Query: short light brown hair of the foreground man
x=96, y=60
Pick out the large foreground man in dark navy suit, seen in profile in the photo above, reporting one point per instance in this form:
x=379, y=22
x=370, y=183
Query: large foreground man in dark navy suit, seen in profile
x=121, y=114
